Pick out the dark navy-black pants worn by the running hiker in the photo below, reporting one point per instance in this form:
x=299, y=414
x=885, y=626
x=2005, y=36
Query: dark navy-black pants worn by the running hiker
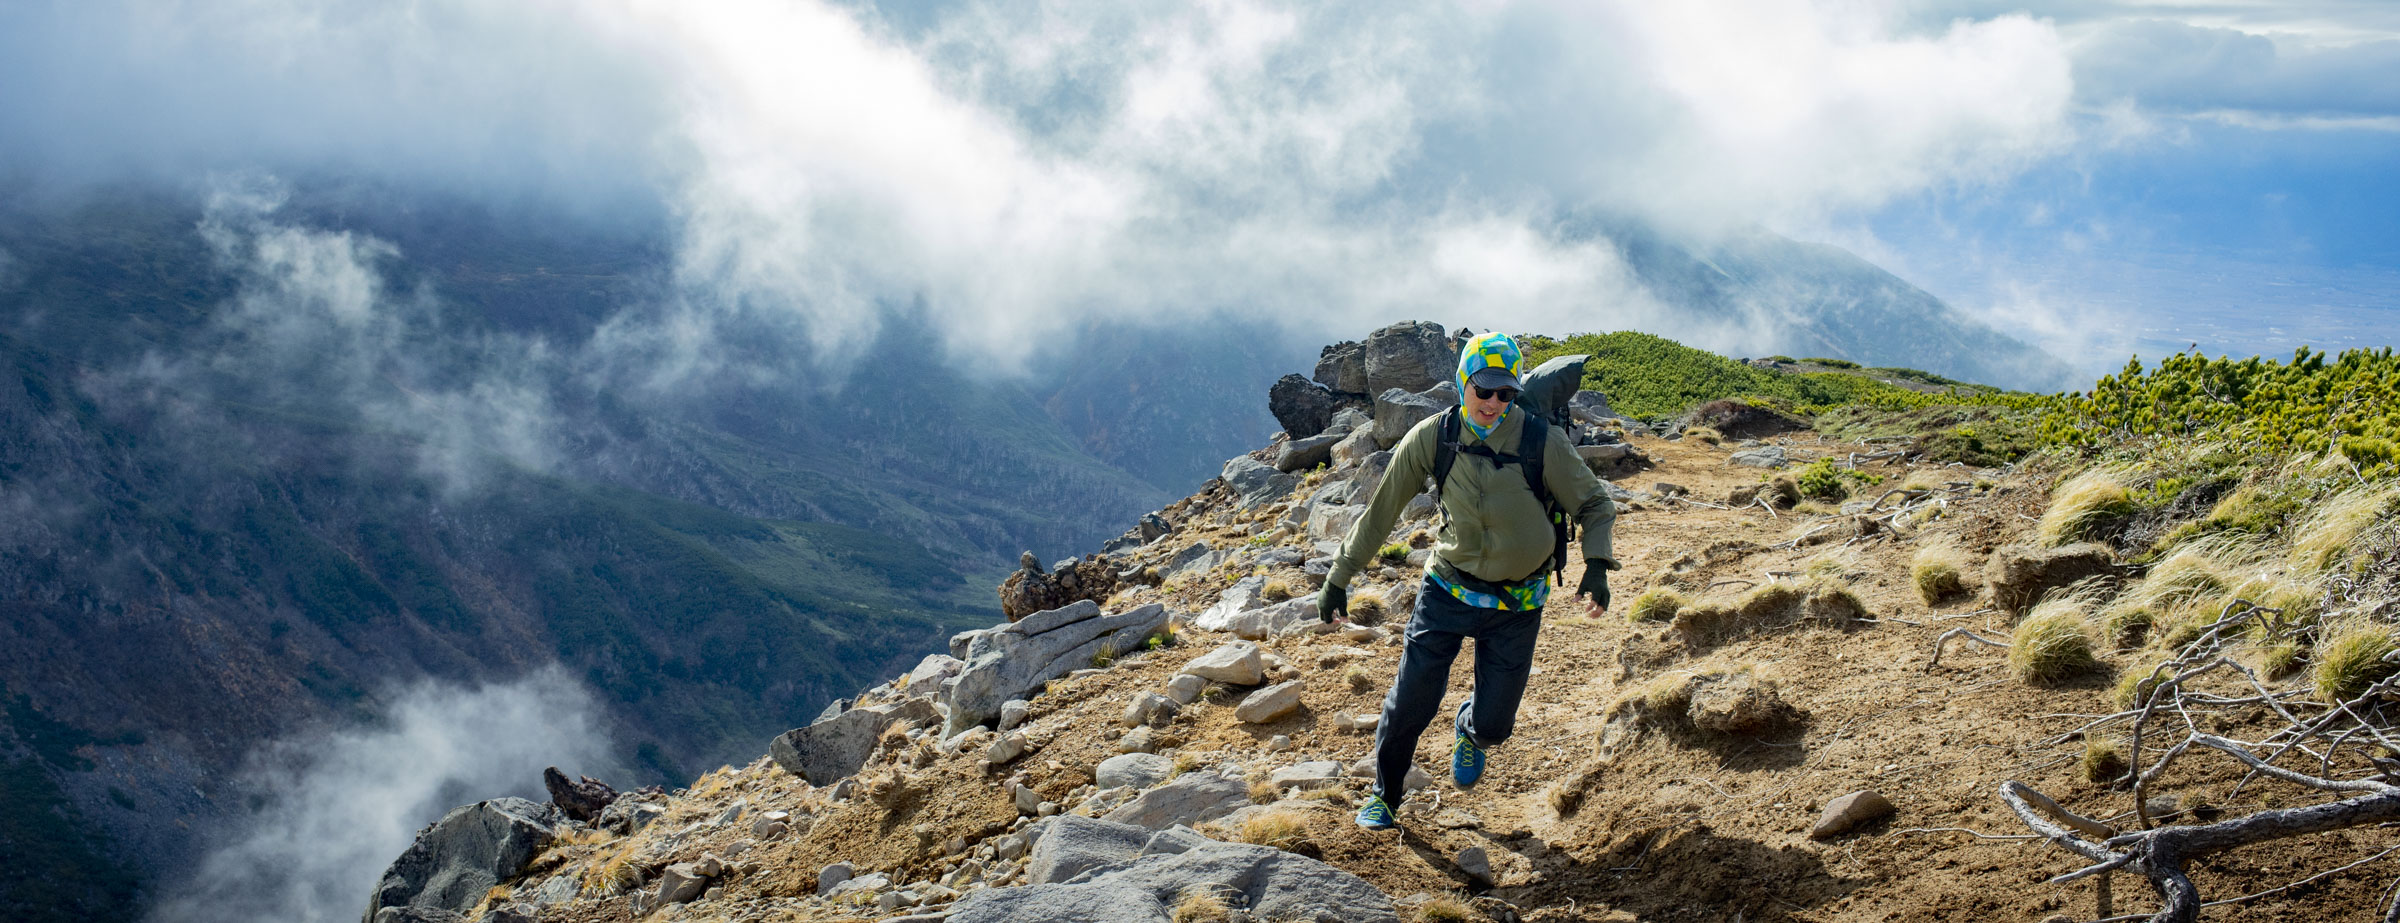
x=1489, y=713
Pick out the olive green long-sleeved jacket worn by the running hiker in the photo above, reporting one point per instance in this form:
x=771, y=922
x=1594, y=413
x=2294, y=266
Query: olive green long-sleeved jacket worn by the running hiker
x=1492, y=524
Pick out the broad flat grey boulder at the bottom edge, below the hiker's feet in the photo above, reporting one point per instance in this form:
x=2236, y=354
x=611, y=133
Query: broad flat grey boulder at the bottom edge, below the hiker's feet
x=1271, y=883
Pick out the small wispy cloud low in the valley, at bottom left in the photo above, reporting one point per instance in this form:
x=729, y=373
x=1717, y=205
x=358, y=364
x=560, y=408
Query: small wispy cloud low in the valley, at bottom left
x=340, y=807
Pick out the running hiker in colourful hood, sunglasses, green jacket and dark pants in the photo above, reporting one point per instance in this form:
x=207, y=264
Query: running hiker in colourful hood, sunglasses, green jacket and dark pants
x=1489, y=572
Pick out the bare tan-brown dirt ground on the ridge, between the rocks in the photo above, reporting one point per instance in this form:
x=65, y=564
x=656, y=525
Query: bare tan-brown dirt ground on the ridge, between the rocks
x=1674, y=824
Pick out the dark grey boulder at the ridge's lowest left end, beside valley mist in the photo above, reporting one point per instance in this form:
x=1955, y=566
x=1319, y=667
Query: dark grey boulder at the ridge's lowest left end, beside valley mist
x=455, y=862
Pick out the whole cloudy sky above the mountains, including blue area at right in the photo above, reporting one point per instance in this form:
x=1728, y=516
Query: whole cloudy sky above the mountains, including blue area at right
x=2099, y=179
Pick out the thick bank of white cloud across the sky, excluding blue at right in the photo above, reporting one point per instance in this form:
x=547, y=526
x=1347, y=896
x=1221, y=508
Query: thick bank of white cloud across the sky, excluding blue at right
x=1026, y=169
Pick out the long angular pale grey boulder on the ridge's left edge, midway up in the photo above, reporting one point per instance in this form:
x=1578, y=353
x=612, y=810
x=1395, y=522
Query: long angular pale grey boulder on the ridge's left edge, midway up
x=1012, y=660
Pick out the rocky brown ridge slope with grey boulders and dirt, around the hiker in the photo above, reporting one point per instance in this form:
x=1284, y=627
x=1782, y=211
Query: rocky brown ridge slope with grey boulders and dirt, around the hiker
x=1787, y=742
